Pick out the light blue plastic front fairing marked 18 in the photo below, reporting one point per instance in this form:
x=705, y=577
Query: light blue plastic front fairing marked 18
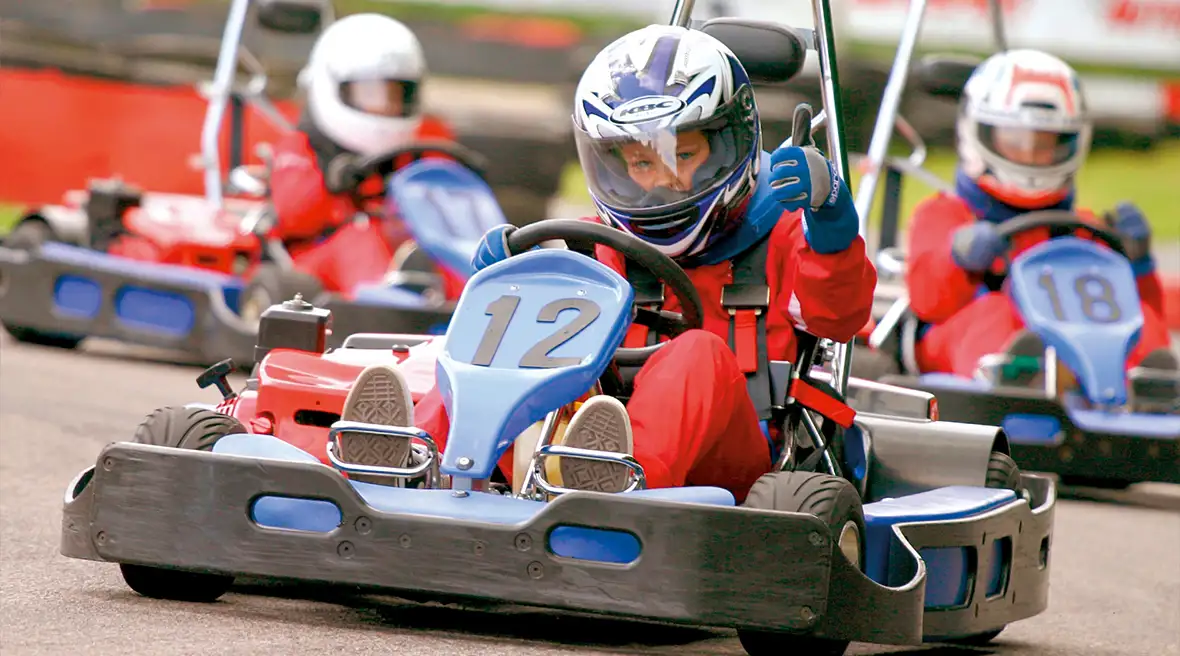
x=1081, y=299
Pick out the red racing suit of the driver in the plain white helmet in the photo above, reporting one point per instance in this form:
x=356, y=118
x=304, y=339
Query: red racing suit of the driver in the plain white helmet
x=307, y=214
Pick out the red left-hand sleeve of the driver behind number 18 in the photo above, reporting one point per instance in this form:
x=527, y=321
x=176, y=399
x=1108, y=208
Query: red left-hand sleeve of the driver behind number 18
x=939, y=288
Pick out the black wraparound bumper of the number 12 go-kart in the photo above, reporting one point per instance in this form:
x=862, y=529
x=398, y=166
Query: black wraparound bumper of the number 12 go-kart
x=700, y=565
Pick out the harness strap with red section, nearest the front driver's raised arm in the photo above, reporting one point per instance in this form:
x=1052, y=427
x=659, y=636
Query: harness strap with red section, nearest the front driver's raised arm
x=749, y=300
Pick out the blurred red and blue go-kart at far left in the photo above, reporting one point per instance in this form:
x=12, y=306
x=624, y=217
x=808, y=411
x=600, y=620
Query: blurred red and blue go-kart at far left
x=193, y=274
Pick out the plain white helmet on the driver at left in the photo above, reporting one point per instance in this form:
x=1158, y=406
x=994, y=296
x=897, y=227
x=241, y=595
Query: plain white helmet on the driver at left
x=363, y=83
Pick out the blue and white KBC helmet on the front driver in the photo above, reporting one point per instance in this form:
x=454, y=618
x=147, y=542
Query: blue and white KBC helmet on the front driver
x=668, y=137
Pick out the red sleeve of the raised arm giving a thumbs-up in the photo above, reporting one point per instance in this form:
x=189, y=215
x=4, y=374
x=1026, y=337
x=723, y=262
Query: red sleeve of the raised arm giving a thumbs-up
x=829, y=296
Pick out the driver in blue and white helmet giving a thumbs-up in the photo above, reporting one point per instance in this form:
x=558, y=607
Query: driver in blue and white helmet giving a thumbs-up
x=670, y=141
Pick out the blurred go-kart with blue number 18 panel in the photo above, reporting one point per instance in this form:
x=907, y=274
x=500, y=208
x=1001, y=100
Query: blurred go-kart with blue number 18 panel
x=1091, y=422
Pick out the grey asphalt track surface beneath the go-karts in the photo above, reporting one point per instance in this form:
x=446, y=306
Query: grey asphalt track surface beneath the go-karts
x=1116, y=561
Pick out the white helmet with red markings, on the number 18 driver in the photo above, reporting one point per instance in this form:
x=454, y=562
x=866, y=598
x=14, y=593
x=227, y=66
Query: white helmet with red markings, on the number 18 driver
x=1024, y=129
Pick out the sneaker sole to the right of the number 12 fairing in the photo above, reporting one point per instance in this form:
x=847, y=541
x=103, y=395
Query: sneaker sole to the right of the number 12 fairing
x=601, y=424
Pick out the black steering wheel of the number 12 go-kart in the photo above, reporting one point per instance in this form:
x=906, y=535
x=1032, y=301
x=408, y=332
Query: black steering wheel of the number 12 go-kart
x=644, y=254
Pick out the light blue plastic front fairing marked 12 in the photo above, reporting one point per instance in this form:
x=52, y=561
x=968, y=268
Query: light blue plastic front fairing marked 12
x=530, y=334
